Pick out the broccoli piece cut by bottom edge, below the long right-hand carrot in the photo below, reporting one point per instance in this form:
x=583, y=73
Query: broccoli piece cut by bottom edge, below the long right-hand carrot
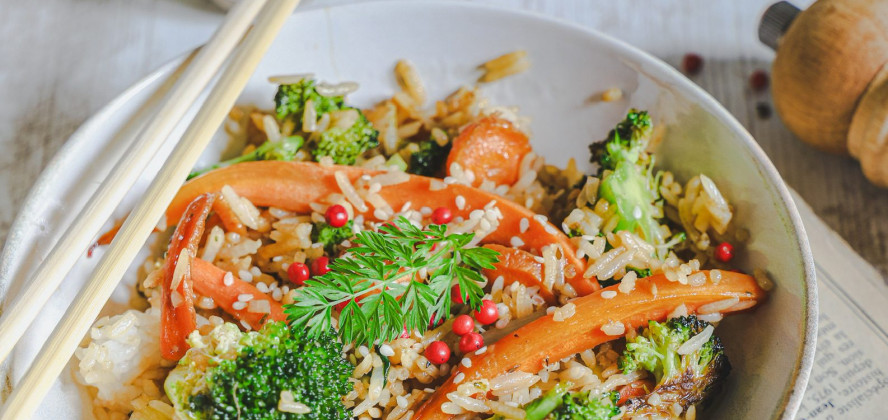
x=558, y=404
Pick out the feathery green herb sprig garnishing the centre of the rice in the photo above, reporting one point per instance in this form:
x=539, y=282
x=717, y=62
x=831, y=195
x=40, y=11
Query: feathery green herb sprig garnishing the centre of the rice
x=401, y=276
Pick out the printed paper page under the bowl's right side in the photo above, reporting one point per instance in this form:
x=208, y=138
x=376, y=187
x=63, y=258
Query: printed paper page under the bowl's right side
x=849, y=378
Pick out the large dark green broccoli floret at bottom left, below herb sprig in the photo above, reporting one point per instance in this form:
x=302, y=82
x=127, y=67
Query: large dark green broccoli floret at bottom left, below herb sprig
x=234, y=375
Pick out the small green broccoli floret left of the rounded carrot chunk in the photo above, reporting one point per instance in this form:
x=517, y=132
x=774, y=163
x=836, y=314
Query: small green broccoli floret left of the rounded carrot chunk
x=344, y=145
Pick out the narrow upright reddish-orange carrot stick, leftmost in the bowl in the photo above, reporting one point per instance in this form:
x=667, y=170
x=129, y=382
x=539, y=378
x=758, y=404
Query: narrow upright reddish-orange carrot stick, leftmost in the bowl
x=178, y=318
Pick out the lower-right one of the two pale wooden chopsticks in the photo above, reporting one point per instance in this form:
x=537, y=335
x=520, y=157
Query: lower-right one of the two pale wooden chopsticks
x=138, y=226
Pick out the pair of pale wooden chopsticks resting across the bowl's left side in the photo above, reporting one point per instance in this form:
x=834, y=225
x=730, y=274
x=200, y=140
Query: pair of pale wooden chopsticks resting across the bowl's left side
x=269, y=18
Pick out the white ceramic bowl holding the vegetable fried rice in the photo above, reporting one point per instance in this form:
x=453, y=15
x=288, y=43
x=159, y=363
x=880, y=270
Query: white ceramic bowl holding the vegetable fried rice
x=771, y=349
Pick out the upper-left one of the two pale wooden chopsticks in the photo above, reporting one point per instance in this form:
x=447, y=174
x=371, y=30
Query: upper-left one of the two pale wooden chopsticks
x=73, y=244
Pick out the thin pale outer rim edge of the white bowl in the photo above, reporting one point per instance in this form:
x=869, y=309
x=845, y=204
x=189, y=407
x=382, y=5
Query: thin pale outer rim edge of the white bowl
x=793, y=395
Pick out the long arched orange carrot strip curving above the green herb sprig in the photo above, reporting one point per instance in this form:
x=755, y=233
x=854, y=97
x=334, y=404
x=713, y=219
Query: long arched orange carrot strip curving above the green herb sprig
x=293, y=186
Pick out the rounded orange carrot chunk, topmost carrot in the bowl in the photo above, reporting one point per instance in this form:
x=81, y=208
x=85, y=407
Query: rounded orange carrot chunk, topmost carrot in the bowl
x=492, y=148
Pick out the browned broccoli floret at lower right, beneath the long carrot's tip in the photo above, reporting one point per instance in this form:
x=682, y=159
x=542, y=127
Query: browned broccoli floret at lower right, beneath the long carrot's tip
x=686, y=379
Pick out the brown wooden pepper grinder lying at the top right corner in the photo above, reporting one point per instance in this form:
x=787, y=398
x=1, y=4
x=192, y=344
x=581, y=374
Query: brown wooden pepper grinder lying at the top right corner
x=830, y=79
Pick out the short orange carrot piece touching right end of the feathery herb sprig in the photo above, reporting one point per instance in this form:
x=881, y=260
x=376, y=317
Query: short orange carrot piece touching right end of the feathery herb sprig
x=521, y=266
